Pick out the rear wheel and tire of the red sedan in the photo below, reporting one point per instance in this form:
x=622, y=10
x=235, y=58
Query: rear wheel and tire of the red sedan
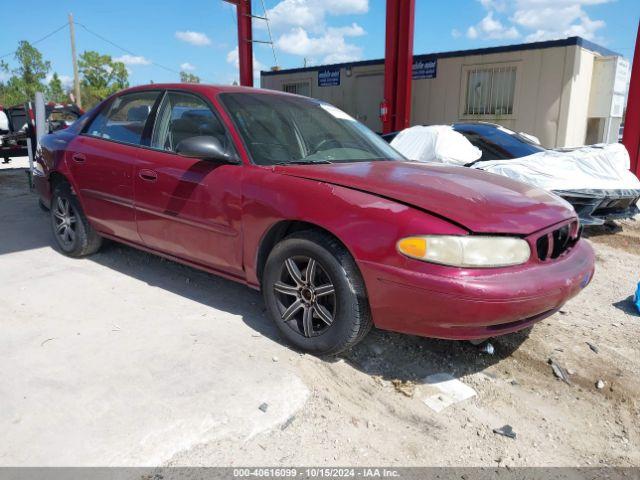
x=71, y=229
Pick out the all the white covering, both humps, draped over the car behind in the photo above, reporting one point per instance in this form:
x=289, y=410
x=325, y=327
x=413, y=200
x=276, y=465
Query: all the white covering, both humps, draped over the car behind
x=599, y=167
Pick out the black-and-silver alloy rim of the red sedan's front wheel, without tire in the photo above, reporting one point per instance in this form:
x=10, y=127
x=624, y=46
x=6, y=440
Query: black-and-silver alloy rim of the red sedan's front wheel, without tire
x=306, y=296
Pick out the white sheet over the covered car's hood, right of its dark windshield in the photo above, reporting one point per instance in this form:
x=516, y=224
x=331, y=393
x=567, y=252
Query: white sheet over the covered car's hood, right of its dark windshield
x=599, y=167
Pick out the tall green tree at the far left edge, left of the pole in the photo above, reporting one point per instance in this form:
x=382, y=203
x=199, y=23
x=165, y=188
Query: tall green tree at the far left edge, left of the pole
x=27, y=78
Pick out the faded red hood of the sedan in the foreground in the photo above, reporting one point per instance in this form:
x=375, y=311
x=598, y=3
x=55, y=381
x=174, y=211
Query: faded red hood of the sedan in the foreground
x=479, y=201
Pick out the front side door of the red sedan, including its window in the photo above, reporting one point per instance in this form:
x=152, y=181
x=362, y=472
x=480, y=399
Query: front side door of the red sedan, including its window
x=186, y=207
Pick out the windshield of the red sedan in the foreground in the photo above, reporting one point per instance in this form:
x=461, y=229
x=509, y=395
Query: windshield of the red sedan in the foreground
x=285, y=129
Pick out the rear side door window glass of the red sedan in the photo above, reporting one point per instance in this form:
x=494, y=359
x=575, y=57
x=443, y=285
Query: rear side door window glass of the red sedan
x=125, y=118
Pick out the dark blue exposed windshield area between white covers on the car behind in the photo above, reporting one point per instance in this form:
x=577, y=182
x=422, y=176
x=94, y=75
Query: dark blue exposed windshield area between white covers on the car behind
x=496, y=142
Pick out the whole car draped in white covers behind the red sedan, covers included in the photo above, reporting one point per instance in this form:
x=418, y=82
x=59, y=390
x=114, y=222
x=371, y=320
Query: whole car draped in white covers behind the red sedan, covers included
x=595, y=179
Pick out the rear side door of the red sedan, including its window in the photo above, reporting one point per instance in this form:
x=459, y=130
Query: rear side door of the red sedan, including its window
x=102, y=161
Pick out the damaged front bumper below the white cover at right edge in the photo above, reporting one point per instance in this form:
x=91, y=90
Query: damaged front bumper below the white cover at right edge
x=595, y=206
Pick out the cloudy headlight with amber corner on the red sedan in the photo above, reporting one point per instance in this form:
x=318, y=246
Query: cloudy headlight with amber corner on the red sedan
x=466, y=251
